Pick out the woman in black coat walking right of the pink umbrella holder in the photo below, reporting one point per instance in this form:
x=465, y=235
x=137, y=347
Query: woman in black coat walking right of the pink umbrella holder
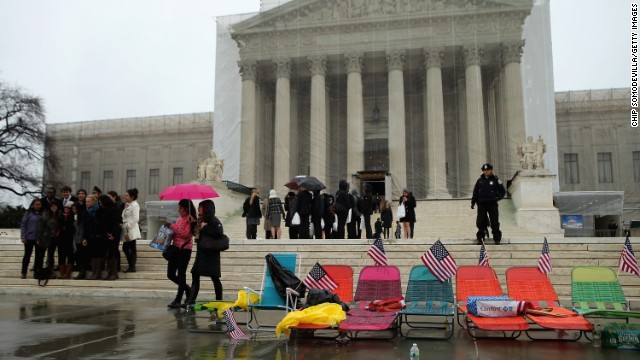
x=207, y=262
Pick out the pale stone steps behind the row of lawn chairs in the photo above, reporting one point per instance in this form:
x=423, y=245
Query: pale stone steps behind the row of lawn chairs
x=243, y=264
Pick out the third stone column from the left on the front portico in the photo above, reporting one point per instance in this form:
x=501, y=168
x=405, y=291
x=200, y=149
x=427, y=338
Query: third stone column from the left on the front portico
x=318, y=127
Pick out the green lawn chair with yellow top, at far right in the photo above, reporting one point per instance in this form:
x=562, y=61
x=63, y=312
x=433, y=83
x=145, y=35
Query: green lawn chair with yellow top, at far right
x=596, y=292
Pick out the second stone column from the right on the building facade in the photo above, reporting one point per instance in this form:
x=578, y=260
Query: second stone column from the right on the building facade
x=476, y=134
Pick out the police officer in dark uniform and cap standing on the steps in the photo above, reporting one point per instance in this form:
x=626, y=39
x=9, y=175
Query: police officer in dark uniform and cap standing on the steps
x=486, y=193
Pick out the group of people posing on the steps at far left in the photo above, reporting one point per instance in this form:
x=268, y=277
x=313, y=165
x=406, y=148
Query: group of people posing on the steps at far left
x=85, y=231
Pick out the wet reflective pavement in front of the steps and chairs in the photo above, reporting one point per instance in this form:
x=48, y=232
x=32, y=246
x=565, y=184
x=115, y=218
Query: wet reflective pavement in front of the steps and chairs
x=126, y=328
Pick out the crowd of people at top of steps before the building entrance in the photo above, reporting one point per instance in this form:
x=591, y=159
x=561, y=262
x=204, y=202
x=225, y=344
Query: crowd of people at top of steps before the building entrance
x=310, y=214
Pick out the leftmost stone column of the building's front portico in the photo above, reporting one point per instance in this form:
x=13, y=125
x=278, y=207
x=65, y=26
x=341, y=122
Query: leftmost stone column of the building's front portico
x=248, y=71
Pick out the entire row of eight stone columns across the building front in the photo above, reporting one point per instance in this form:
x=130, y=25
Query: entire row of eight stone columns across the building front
x=436, y=186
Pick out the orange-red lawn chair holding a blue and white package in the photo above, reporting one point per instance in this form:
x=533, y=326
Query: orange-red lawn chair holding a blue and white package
x=482, y=281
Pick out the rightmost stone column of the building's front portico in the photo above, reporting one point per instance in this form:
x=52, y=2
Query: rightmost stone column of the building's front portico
x=513, y=104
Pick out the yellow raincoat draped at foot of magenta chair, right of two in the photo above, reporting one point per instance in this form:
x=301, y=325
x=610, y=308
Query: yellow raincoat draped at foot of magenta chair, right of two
x=329, y=314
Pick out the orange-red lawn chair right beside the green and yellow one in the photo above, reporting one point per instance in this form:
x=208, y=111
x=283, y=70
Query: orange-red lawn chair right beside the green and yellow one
x=530, y=284
